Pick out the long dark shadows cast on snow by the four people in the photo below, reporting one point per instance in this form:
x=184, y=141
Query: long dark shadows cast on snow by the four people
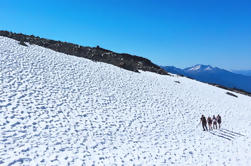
x=226, y=134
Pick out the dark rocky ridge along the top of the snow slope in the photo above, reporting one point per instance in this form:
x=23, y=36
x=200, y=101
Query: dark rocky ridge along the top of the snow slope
x=126, y=61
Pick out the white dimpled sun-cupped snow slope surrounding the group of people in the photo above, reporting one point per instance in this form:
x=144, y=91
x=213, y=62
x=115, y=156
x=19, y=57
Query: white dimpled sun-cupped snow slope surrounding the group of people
x=57, y=109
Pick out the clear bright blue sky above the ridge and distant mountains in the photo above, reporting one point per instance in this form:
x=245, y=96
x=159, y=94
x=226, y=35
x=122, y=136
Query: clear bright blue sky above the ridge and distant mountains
x=168, y=32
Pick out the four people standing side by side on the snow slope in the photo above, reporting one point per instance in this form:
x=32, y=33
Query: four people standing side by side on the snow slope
x=210, y=121
